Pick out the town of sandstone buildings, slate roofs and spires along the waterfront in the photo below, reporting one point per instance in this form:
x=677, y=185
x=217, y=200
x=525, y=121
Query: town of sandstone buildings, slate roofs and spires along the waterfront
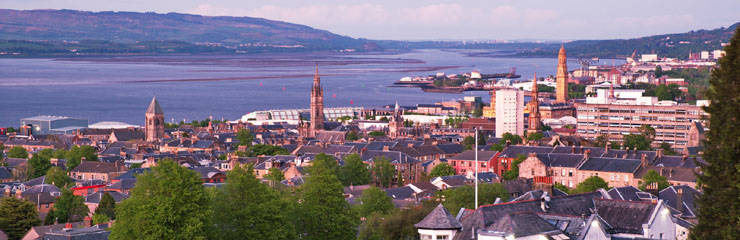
x=610, y=163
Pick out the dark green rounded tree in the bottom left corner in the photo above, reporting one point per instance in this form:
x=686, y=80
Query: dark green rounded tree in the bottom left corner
x=17, y=216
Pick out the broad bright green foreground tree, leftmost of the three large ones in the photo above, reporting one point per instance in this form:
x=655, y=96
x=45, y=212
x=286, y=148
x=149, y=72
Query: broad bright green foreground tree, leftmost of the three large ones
x=166, y=203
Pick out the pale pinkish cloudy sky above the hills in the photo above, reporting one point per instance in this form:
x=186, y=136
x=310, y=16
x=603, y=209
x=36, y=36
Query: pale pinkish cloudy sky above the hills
x=447, y=20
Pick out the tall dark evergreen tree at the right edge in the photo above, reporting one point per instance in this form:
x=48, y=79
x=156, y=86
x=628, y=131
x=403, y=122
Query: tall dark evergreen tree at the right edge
x=719, y=217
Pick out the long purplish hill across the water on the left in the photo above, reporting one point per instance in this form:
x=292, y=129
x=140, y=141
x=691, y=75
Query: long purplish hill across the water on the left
x=132, y=27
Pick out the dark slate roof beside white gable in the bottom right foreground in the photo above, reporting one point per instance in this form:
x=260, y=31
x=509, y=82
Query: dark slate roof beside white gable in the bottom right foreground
x=624, y=216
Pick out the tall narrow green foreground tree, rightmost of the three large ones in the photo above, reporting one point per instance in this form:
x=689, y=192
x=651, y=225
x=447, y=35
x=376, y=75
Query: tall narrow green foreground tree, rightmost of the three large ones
x=323, y=212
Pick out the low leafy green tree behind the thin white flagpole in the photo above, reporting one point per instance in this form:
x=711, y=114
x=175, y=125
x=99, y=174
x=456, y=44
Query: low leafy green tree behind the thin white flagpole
x=464, y=197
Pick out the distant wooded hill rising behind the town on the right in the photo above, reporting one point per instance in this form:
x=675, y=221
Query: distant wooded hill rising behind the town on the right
x=676, y=45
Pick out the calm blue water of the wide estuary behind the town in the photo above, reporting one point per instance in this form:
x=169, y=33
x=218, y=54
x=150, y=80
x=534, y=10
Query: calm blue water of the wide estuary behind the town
x=190, y=87
